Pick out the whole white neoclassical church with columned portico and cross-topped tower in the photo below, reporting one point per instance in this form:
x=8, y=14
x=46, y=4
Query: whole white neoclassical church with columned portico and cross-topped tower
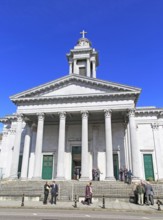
x=79, y=121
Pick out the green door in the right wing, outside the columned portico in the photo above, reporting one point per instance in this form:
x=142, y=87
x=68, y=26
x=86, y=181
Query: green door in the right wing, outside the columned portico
x=148, y=167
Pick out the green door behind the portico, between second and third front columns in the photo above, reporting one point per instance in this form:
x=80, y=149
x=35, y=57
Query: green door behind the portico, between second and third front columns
x=47, y=167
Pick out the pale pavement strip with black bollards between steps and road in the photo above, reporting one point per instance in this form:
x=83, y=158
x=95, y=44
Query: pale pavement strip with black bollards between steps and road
x=112, y=205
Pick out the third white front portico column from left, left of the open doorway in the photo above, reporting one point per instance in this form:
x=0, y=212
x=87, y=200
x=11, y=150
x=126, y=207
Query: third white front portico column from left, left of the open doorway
x=61, y=147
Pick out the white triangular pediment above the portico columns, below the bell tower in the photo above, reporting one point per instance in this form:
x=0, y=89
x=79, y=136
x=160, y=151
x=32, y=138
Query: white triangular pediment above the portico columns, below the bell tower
x=74, y=85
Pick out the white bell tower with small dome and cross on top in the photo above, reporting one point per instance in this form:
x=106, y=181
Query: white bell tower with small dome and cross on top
x=83, y=59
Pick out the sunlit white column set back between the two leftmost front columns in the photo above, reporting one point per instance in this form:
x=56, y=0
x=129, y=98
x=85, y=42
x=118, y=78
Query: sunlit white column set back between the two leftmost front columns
x=26, y=150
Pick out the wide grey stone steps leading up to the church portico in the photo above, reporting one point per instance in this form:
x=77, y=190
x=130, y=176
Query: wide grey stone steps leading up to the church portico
x=68, y=189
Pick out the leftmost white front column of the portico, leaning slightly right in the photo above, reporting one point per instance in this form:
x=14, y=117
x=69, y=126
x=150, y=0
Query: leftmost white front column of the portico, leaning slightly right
x=16, y=148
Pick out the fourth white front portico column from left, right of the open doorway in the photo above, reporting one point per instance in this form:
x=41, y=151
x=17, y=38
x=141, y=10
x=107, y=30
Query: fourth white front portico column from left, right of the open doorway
x=84, y=156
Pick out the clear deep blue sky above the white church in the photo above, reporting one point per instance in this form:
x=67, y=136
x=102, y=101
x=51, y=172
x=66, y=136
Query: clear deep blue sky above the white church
x=36, y=35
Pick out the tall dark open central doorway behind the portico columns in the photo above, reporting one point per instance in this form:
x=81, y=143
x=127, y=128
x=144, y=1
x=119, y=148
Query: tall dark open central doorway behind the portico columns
x=76, y=162
